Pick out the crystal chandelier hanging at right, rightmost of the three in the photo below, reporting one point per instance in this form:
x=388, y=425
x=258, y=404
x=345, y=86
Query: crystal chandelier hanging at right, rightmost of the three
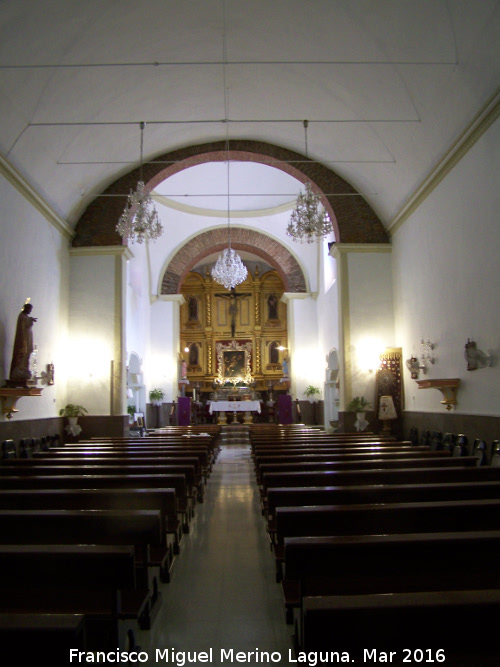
x=309, y=221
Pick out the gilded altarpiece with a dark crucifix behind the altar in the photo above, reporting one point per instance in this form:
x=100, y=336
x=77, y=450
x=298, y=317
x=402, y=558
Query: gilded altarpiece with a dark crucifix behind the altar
x=251, y=318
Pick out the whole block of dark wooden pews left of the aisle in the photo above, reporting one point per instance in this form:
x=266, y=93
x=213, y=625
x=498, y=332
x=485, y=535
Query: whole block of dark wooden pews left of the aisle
x=89, y=531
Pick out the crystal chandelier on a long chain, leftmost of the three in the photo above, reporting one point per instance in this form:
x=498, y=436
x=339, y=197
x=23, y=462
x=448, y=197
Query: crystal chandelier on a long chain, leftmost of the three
x=139, y=221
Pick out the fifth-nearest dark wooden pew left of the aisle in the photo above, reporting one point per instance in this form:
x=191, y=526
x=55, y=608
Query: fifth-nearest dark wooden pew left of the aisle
x=100, y=481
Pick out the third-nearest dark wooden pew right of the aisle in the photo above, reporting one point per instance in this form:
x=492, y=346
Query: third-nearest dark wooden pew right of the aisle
x=388, y=518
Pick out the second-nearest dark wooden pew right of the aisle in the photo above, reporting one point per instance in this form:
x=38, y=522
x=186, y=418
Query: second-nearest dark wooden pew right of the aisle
x=399, y=563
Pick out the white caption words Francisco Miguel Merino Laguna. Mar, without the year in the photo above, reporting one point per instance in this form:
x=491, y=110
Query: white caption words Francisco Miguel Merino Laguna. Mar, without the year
x=182, y=658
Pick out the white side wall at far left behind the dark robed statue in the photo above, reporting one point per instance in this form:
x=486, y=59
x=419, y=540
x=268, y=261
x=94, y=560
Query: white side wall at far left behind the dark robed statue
x=34, y=263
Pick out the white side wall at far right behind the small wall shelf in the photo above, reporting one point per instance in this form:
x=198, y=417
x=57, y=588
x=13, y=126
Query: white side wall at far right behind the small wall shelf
x=446, y=280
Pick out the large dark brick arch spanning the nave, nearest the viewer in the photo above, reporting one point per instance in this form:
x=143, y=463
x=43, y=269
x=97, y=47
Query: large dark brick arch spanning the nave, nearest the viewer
x=353, y=220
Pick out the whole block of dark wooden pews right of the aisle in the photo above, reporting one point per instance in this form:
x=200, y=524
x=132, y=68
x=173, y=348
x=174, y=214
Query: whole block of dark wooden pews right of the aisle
x=385, y=550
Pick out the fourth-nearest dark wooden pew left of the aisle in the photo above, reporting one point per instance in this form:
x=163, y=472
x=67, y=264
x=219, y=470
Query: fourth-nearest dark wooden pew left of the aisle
x=162, y=500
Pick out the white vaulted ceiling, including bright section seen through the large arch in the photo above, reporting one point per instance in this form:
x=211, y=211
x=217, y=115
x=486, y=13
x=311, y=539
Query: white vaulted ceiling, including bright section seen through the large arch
x=387, y=86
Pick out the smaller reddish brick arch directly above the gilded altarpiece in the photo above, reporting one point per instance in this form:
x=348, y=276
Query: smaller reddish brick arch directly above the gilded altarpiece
x=271, y=251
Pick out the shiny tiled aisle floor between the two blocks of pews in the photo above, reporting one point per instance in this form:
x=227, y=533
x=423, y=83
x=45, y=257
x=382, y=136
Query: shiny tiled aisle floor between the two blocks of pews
x=223, y=593
